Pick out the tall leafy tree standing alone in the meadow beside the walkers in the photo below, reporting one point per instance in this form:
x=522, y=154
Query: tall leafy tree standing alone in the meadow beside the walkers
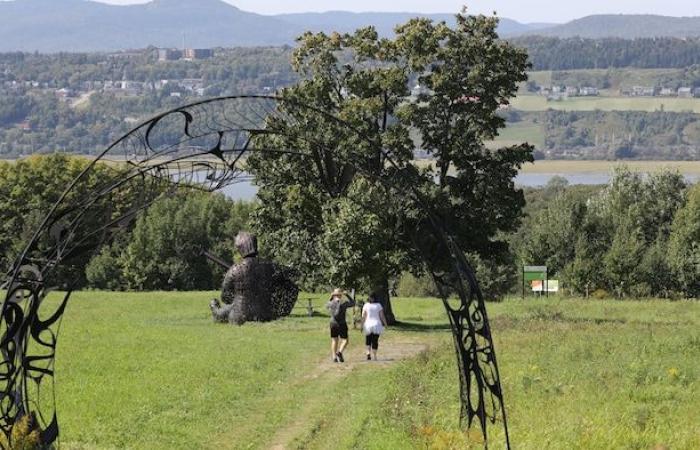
x=332, y=215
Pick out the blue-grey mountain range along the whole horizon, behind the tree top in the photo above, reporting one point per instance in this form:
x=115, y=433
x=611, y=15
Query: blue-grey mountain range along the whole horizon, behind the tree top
x=83, y=25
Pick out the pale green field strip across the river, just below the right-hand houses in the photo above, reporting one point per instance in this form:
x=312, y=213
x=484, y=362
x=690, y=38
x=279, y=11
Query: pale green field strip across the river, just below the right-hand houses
x=539, y=103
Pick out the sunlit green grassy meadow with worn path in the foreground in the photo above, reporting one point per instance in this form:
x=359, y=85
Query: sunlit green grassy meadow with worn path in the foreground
x=150, y=371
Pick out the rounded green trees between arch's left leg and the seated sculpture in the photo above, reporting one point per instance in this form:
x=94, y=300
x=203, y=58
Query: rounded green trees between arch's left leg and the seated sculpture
x=165, y=248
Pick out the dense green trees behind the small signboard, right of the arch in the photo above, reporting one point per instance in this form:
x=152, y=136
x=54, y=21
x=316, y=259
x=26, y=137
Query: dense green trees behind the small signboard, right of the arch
x=622, y=238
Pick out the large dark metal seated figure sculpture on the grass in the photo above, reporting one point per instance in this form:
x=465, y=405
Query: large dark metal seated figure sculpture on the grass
x=254, y=289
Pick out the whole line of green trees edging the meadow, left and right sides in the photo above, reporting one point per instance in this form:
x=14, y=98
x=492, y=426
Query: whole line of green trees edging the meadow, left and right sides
x=638, y=236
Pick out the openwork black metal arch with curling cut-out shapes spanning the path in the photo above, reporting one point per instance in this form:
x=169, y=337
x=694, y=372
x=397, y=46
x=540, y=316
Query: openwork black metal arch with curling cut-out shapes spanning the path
x=200, y=145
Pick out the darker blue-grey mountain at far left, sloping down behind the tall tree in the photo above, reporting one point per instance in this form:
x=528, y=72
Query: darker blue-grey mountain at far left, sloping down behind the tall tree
x=78, y=25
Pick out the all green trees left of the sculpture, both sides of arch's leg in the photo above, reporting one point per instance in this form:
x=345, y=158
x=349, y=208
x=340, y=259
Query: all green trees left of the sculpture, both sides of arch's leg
x=162, y=250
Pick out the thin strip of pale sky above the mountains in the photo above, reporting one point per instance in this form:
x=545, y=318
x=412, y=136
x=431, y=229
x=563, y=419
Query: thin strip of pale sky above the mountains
x=521, y=10
